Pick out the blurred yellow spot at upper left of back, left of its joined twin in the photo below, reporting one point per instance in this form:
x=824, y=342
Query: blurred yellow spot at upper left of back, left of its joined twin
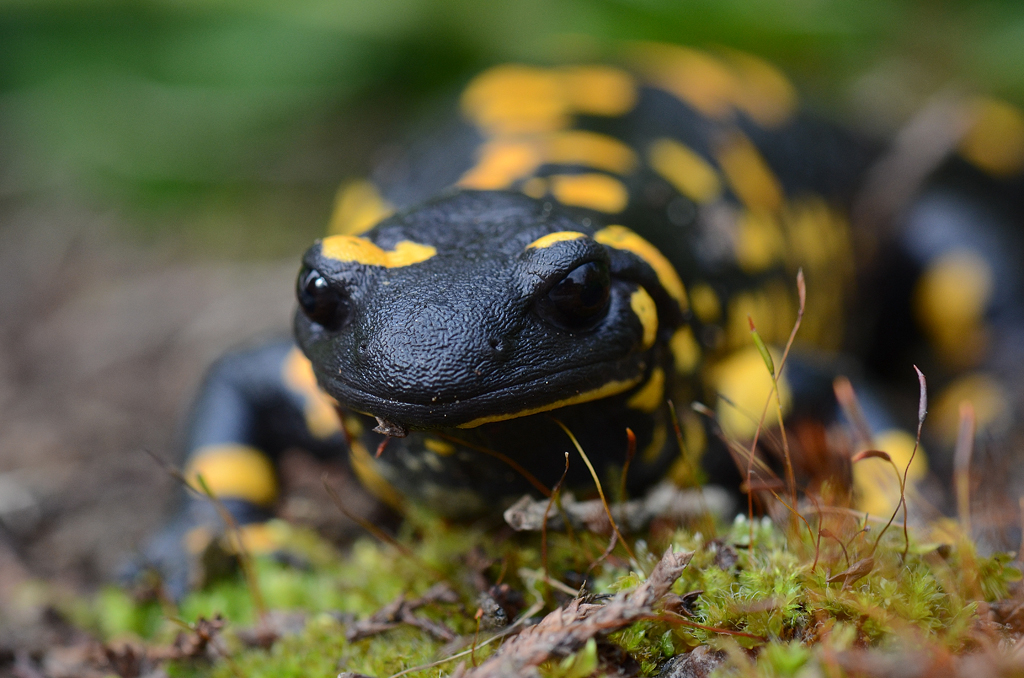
x=517, y=100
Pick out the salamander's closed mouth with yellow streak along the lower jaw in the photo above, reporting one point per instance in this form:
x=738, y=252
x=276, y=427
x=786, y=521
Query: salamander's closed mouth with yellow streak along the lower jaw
x=534, y=396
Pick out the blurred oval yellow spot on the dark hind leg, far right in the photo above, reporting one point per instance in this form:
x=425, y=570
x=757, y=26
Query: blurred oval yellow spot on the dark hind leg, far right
x=951, y=302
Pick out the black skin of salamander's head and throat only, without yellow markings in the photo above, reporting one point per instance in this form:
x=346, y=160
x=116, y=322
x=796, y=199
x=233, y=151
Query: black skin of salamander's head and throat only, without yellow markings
x=488, y=327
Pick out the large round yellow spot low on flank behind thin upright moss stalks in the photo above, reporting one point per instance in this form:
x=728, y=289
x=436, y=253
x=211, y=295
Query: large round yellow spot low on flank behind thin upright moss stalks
x=745, y=382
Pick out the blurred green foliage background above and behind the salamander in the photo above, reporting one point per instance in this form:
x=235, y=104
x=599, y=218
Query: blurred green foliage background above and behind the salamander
x=228, y=124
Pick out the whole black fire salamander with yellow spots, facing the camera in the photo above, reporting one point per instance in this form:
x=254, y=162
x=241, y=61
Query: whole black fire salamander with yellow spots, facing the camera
x=581, y=244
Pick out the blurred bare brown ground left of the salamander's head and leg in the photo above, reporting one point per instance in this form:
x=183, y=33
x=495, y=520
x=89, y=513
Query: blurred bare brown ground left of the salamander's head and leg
x=102, y=345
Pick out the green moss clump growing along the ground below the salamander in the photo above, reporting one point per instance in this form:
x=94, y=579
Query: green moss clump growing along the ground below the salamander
x=780, y=608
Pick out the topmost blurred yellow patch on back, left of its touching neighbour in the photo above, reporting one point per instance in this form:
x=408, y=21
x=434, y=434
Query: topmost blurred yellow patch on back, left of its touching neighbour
x=695, y=77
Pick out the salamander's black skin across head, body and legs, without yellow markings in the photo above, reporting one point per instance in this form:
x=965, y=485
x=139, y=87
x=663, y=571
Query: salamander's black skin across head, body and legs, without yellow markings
x=488, y=328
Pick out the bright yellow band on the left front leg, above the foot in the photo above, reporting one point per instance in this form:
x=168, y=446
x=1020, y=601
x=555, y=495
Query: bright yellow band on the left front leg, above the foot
x=236, y=472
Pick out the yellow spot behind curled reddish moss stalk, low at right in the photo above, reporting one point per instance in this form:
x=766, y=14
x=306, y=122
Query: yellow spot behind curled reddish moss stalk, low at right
x=875, y=483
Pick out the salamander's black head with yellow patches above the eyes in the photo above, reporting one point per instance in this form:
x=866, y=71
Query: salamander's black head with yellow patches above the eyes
x=482, y=307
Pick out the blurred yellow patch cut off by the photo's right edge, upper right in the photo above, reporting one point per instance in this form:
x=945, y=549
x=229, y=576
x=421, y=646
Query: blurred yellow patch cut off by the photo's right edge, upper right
x=996, y=141
